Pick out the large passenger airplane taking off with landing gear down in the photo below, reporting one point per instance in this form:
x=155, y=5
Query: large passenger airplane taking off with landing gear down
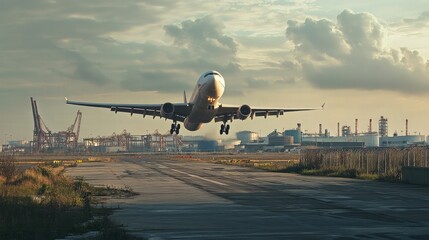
x=203, y=107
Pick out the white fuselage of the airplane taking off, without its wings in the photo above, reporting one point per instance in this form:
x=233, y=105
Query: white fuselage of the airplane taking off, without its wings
x=205, y=100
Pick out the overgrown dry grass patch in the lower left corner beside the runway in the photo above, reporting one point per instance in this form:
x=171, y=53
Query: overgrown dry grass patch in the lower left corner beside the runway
x=42, y=203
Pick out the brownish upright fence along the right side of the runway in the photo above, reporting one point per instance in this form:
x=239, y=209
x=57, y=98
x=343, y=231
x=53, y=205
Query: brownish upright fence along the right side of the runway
x=381, y=161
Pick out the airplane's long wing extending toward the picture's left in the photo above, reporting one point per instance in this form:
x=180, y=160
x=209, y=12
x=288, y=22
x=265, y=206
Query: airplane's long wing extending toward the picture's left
x=181, y=110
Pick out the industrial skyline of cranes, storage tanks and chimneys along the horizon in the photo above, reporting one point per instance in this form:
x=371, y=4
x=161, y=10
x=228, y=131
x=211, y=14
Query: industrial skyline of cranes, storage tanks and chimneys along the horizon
x=46, y=141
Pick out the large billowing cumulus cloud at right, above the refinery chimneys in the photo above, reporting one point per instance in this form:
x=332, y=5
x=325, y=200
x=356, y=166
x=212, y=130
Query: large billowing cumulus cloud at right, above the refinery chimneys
x=350, y=54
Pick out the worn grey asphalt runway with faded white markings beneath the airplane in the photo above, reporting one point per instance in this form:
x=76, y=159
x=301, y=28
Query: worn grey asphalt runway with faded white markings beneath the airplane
x=186, y=199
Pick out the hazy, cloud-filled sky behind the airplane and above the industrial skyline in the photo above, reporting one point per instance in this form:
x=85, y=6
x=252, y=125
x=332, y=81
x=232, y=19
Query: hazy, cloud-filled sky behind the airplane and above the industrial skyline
x=363, y=59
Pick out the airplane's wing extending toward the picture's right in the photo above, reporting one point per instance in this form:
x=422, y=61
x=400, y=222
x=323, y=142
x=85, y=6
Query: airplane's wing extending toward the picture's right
x=229, y=112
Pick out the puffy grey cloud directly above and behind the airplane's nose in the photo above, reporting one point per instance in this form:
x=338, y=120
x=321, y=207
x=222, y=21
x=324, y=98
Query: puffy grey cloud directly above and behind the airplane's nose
x=198, y=45
